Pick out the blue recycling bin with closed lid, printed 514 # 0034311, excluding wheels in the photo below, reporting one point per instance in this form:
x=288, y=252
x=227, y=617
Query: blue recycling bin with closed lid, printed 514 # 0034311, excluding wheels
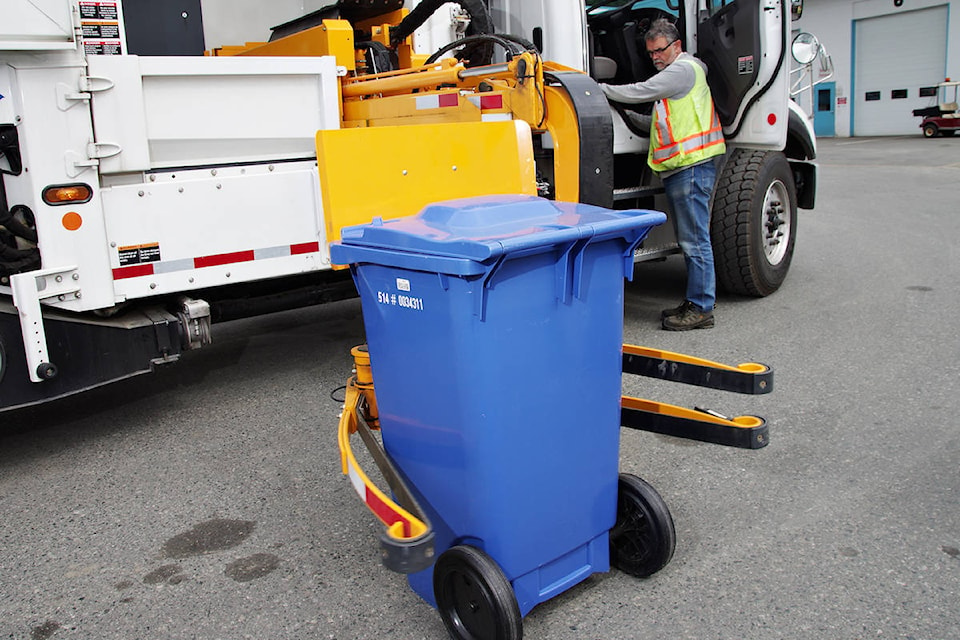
x=495, y=329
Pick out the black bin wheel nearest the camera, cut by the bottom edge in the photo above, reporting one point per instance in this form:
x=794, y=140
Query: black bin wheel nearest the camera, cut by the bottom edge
x=474, y=598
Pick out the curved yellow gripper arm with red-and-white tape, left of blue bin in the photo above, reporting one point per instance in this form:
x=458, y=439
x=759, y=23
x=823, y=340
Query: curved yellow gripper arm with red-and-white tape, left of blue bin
x=407, y=543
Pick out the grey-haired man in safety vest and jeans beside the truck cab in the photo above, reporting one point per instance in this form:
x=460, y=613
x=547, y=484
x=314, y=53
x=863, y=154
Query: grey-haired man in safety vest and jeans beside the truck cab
x=685, y=139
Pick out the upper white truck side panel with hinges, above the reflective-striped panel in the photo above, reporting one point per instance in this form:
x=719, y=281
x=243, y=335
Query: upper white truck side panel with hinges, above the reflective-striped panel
x=183, y=111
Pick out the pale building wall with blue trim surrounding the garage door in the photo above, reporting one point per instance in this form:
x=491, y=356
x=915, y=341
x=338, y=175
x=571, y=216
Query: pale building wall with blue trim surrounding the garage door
x=833, y=22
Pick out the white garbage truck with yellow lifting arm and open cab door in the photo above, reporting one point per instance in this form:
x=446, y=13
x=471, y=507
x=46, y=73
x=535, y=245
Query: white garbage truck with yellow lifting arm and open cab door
x=144, y=198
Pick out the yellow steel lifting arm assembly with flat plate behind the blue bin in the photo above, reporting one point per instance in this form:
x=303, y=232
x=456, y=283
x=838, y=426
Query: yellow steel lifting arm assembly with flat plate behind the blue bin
x=429, y=161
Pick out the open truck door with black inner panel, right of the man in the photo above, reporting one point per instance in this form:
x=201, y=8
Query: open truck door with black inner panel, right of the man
x=743, y=43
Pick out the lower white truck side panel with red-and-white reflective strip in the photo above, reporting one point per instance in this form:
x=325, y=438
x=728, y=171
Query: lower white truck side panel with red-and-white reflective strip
x=207, y=227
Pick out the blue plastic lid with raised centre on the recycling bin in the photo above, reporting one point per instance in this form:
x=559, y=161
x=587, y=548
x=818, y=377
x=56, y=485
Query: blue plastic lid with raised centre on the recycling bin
x=487, y=227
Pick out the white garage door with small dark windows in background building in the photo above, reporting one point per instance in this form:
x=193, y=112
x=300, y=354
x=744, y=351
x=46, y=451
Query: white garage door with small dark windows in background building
x=896, y=56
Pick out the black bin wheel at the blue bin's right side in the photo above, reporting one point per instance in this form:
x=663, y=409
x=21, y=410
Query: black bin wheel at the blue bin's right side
x=643, y=540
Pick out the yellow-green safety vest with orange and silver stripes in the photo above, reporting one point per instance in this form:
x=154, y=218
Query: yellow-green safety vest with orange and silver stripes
x=687, y=130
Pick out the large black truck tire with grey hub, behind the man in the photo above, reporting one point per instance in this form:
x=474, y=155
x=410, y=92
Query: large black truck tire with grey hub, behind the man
x=754, y=222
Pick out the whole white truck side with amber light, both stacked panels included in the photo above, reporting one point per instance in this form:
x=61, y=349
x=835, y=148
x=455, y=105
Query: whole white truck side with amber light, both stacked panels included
x=193, y=153
